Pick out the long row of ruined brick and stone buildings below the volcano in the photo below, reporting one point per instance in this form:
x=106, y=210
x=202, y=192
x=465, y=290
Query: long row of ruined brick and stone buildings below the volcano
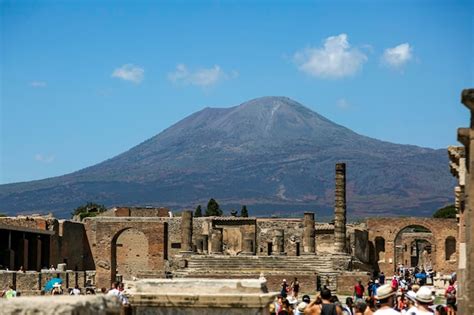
x=127, y=243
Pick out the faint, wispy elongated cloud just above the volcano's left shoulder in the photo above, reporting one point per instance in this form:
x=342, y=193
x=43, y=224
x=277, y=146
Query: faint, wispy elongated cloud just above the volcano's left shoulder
x=203, y=77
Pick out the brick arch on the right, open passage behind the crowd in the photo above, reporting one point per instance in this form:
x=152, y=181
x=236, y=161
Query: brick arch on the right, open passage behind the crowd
x=389, y=229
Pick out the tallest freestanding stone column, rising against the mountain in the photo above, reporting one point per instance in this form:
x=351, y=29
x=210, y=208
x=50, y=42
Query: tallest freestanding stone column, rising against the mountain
x=340, y=209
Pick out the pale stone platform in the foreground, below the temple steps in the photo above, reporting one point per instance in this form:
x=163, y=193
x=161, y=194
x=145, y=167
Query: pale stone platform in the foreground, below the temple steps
x=200, y=296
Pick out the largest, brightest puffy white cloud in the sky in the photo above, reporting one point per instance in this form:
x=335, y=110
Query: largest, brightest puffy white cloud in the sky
x=336, y=59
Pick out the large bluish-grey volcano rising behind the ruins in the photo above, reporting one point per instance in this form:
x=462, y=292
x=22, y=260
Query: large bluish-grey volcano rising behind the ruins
x=271, y=153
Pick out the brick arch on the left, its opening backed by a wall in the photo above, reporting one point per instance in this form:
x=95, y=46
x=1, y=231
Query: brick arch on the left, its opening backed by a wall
x=107, y=231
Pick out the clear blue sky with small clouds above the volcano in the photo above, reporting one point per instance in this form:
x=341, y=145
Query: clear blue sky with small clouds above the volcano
x=82, y=81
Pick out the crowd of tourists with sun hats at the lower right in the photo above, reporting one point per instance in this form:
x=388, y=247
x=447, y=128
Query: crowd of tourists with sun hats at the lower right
x=402, y=294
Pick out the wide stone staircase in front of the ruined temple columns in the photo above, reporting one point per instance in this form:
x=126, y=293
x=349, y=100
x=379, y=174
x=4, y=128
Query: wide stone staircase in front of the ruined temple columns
x=202, y=265
